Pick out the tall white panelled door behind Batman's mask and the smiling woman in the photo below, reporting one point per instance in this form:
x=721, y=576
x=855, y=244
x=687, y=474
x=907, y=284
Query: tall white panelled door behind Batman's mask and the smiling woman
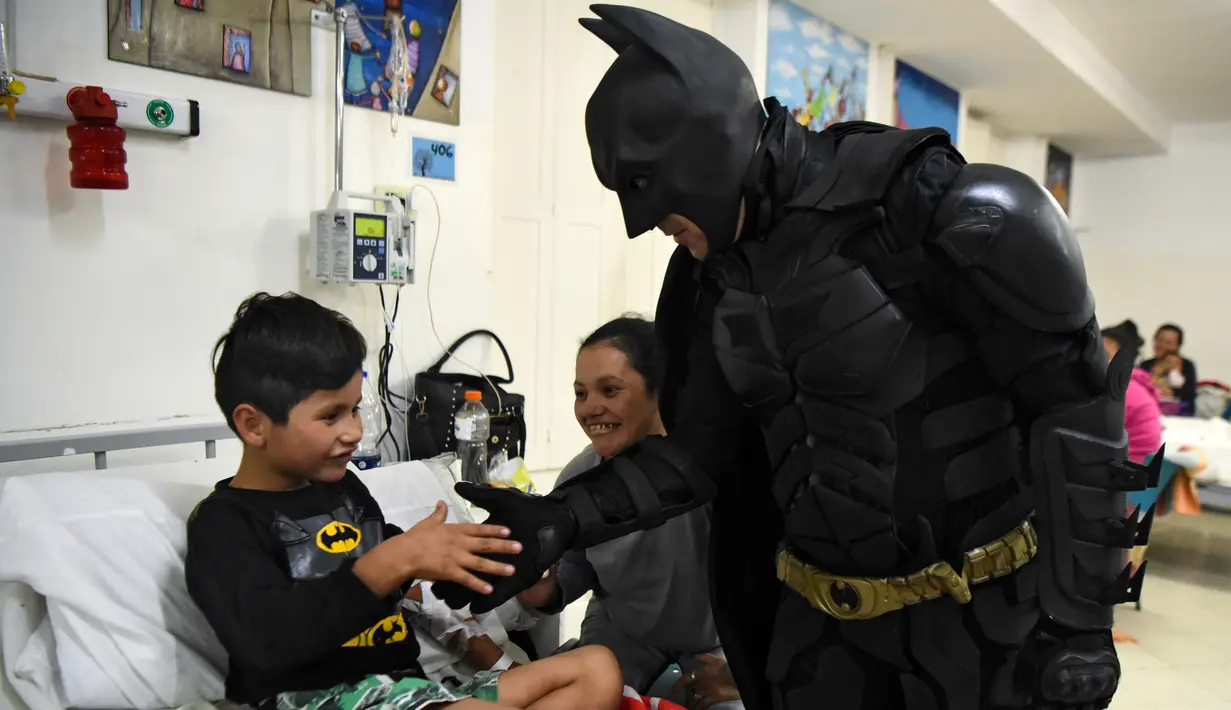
x=563, y=263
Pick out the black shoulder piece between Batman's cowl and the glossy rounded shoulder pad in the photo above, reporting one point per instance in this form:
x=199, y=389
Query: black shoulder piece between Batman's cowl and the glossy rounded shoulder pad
x=867, y=159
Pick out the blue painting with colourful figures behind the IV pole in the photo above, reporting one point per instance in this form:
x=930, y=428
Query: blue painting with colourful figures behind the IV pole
x=434, y=39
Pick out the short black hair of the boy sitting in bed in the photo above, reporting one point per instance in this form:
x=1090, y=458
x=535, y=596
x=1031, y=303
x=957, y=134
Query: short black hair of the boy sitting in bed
x=279, y=351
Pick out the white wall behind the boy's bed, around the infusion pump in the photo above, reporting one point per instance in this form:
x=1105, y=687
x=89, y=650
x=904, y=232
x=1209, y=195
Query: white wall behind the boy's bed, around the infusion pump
x=114, y=301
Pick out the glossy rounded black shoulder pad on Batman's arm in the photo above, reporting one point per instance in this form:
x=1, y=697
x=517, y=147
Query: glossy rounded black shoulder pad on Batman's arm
x=1015, y=243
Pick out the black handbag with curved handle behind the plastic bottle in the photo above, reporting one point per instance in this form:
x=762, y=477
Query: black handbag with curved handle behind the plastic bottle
x=439, y=397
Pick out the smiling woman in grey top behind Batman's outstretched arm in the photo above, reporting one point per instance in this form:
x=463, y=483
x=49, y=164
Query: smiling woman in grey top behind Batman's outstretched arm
x=652, y=596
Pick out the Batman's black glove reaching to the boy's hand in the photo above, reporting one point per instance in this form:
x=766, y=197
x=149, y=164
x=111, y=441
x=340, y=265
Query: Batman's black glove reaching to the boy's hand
x=546, y=530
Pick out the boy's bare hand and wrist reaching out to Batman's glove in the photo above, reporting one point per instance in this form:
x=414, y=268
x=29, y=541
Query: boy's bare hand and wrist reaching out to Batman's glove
x=438, y=551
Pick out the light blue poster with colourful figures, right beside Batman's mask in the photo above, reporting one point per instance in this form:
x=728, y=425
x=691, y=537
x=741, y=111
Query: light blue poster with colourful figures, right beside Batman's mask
x=817, y=71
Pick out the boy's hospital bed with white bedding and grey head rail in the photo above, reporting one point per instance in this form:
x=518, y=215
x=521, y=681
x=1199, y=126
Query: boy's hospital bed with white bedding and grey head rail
x=93, y=606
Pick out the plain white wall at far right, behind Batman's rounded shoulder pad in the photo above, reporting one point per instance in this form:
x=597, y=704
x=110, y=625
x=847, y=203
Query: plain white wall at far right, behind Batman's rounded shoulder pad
x=1154, y=232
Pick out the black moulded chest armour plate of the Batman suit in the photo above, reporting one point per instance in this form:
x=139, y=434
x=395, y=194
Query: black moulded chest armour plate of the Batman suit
x=800, y=322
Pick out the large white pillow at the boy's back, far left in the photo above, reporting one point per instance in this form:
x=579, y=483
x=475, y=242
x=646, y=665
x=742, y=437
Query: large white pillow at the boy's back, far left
x=108, y=554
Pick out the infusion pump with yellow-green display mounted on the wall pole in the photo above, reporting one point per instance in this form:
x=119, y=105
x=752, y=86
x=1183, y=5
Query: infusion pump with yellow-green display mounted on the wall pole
x=363, y=247
